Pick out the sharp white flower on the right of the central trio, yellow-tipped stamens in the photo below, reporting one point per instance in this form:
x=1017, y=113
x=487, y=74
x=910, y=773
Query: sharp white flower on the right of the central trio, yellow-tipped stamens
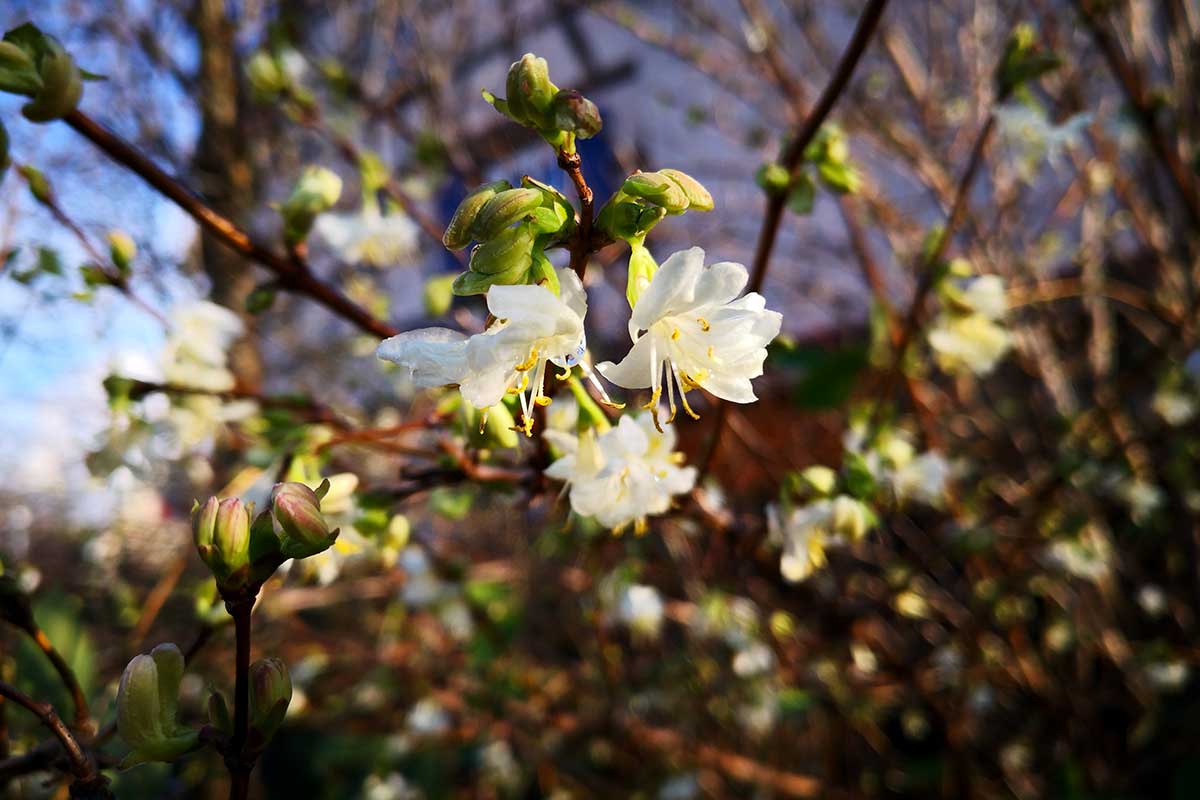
x=697, y=333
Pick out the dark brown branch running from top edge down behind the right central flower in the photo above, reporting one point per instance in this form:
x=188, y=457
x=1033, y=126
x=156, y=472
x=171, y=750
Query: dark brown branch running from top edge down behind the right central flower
x=791, y=161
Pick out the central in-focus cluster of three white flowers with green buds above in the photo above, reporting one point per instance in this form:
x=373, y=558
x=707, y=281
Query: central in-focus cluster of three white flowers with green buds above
x=691, y=324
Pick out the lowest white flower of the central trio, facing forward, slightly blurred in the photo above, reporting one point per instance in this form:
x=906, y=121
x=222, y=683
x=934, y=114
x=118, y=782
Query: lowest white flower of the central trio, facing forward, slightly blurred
x=622, y=476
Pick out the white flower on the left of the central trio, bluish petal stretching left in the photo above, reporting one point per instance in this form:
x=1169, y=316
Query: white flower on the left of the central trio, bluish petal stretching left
x=533, y=328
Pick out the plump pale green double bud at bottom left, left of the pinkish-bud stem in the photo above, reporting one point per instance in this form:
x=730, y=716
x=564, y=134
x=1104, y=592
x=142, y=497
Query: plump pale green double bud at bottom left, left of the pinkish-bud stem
x=146, y=708
